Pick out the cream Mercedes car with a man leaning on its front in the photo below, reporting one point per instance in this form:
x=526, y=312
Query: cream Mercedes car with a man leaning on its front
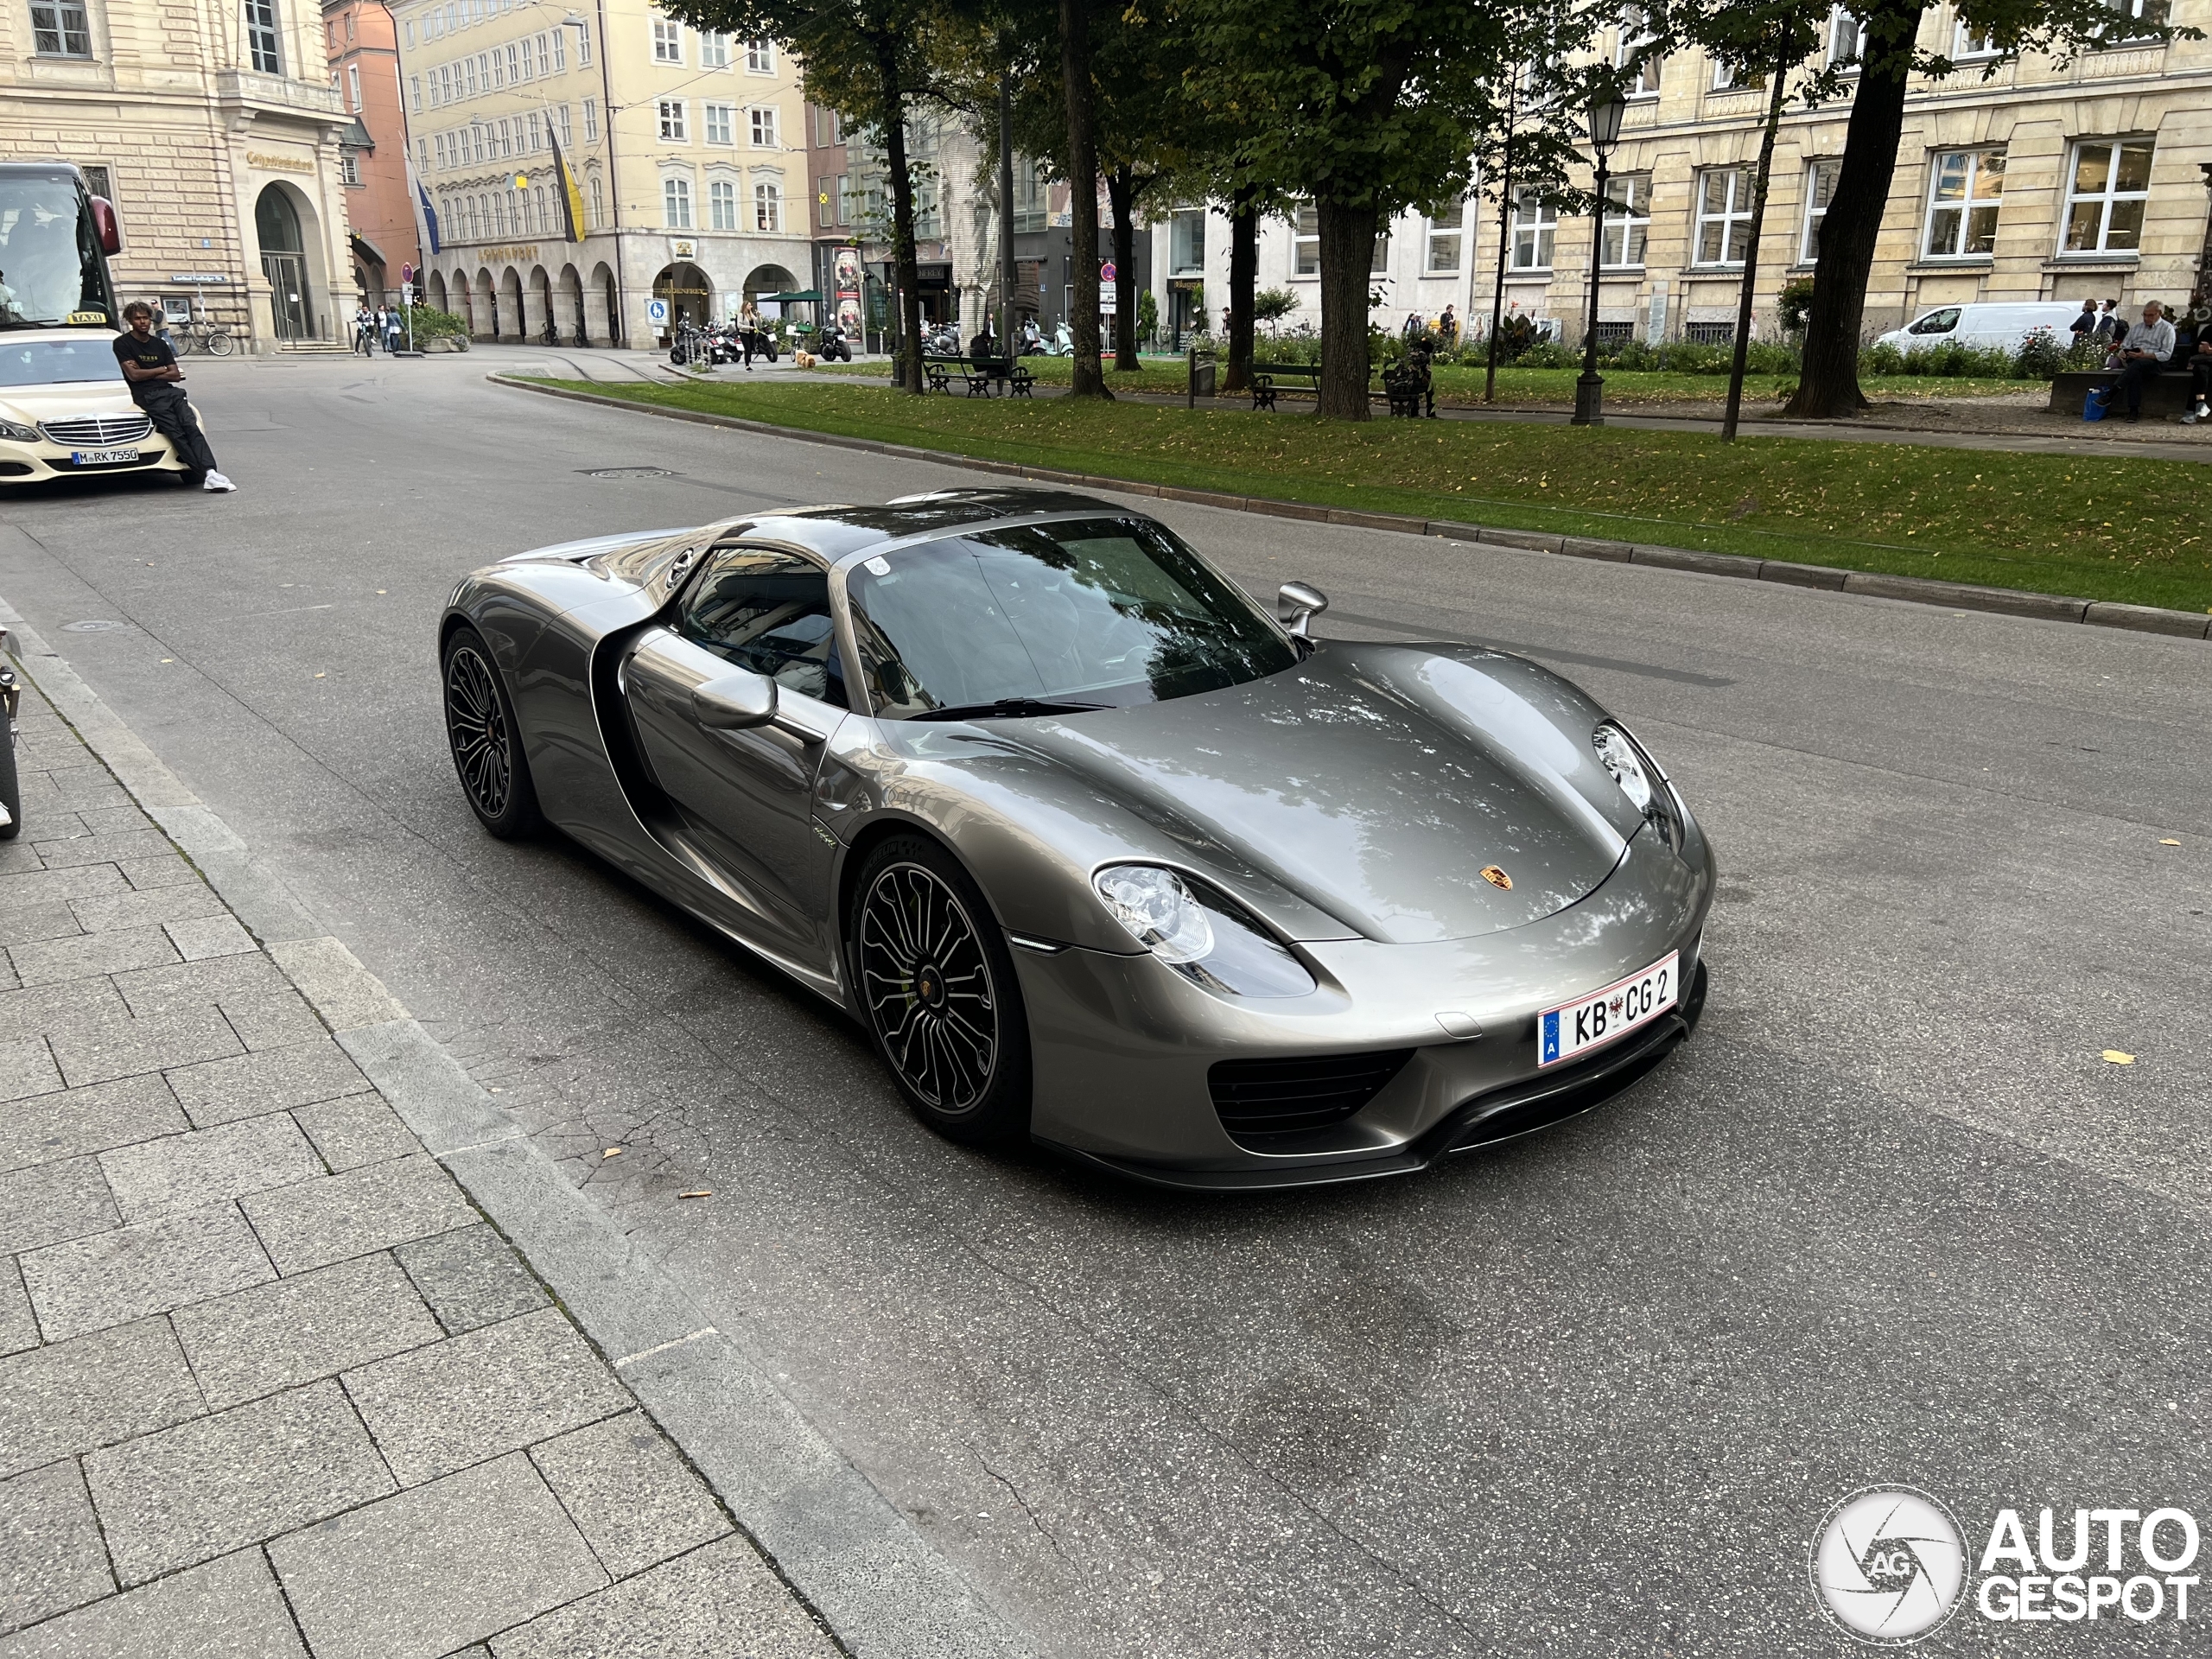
x=65, y=410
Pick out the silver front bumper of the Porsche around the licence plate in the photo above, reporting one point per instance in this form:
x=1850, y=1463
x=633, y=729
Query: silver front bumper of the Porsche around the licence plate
x=1123, y=1050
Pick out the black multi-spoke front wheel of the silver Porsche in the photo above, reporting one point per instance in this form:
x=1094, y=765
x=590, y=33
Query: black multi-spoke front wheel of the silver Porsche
x=939, y=994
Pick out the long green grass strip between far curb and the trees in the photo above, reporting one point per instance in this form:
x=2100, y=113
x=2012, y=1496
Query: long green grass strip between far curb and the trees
x=2049, y=523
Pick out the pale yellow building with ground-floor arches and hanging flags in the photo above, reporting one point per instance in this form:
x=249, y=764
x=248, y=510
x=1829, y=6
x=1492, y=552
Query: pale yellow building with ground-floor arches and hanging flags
x=687, y=149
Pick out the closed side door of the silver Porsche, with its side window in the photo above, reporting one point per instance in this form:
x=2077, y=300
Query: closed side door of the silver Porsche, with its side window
x=744, y=800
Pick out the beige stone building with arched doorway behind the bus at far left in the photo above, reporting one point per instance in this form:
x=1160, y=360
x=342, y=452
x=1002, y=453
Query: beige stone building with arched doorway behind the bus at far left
x=213, y=132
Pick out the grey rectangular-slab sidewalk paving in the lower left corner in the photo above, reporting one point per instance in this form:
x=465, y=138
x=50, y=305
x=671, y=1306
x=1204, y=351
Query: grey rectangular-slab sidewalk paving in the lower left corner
x=271, y=1384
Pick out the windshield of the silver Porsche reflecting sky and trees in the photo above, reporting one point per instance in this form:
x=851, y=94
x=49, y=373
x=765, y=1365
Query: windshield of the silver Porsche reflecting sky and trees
x=1092, y=612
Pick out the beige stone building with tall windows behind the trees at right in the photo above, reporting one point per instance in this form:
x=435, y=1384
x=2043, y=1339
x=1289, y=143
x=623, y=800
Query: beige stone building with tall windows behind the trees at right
x=2032, y=182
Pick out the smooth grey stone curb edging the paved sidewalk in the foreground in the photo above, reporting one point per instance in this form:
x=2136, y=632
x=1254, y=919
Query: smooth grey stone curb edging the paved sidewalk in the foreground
x=842, y=1545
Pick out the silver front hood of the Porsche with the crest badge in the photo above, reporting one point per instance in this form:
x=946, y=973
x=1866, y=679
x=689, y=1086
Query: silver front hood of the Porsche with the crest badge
x=1375, y=782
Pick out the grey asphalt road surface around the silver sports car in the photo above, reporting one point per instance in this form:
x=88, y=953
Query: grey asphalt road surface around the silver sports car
x=1888, y=1220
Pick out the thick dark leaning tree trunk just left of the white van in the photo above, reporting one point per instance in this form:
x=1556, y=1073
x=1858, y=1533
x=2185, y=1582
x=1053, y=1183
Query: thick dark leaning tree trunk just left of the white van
x=1828, y=386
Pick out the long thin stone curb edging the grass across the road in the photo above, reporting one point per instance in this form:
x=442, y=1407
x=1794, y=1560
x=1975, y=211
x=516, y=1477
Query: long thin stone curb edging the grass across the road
x=1914, y=589
